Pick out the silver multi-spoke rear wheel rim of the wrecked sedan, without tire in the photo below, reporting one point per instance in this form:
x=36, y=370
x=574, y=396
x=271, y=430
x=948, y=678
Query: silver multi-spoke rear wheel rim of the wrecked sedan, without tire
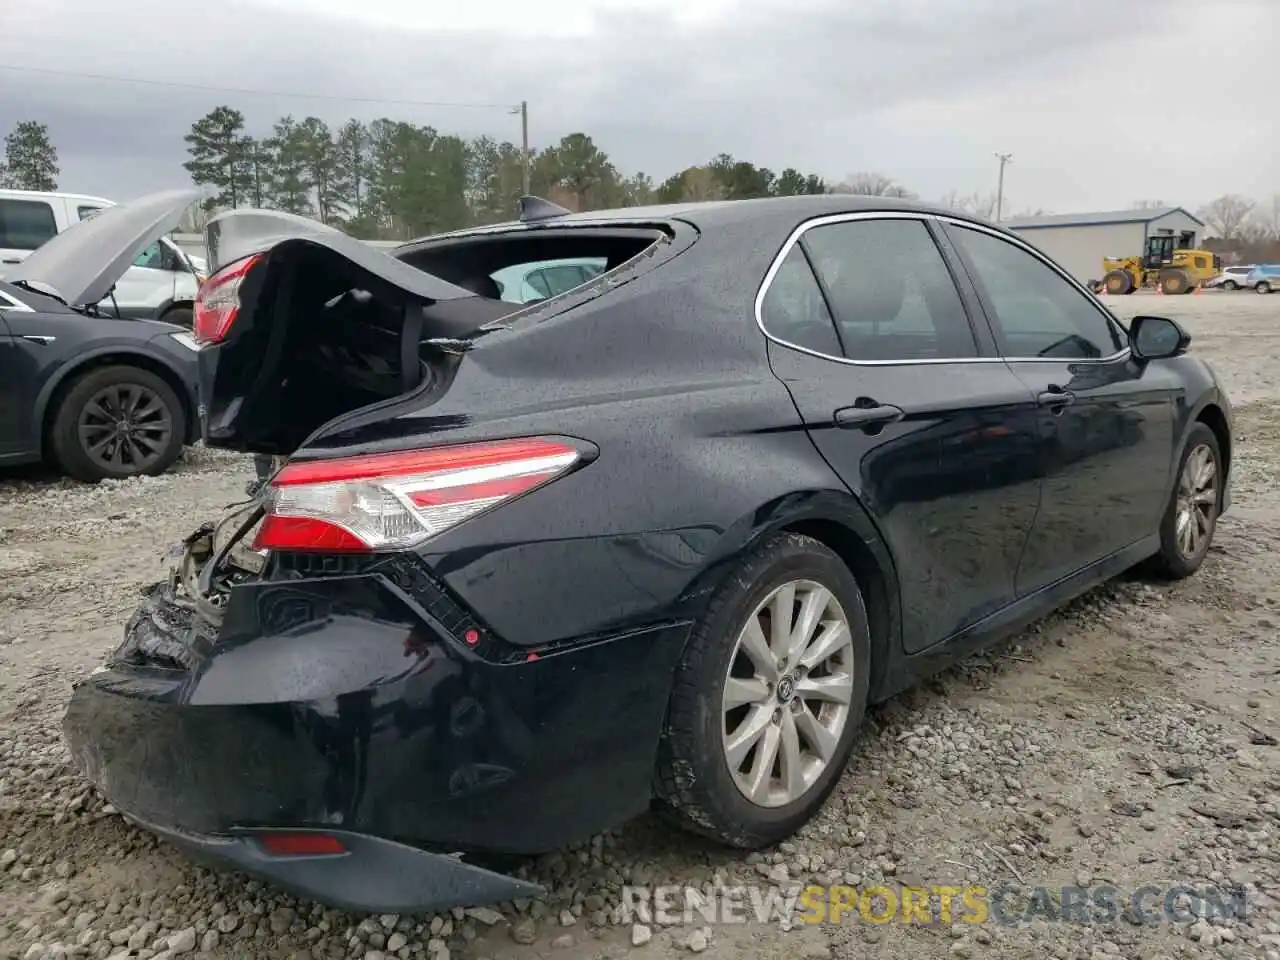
x=787, y=700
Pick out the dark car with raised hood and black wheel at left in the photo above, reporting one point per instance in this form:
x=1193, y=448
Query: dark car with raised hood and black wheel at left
x=100, y=396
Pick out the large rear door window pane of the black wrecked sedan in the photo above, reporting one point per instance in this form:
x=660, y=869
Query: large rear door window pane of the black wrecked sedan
x=890, y=291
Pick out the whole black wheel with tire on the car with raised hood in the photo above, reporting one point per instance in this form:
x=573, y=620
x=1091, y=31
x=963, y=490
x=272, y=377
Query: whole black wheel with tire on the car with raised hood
x=118, y=422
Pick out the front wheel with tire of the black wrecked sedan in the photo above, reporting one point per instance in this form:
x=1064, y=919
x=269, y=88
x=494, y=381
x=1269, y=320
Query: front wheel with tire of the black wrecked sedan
x=1191, y=519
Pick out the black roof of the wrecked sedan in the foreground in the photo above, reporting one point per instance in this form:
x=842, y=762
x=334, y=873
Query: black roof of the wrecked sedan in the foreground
x=723, y=213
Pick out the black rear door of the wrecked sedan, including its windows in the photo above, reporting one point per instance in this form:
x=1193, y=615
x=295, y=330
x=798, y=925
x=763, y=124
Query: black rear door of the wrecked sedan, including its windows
x=872, y=330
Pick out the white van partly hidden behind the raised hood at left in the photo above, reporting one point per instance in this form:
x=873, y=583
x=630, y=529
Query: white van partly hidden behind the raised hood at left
x=161, y=286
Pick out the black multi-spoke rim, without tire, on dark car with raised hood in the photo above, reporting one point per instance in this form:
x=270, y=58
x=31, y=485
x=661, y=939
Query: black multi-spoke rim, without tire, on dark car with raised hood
x=125, y=428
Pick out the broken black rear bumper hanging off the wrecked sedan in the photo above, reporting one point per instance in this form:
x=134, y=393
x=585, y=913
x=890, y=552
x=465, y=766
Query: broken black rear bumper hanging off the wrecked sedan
x=353, y=705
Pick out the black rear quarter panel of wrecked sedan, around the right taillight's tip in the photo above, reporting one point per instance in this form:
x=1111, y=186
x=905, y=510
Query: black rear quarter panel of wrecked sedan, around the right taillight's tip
x=701, y=447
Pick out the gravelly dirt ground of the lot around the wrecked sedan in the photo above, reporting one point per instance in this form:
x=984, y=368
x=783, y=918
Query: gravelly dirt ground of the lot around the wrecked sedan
x=1130, y=740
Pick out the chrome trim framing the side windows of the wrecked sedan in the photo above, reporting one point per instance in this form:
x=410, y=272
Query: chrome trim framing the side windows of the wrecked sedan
x=794, y=237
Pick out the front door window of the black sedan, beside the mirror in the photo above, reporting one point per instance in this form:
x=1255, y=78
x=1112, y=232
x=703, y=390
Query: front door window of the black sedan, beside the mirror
x=1039, y=314
